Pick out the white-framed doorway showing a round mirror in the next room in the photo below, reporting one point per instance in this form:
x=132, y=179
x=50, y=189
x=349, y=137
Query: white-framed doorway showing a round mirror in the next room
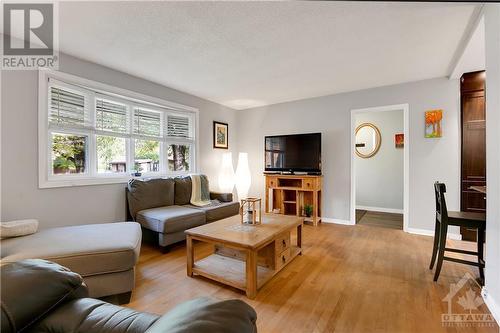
x=380, y=166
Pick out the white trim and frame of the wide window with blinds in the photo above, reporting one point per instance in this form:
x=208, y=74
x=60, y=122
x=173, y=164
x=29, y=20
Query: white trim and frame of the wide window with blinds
x=46, y=180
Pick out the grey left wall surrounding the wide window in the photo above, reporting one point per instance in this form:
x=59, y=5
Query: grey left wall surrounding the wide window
x=21, y=197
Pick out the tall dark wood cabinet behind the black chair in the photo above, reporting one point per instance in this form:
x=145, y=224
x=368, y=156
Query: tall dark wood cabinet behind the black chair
x=473, y=119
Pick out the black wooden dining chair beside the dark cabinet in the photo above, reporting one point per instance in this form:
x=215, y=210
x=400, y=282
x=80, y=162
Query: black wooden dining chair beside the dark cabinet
x=444, y=218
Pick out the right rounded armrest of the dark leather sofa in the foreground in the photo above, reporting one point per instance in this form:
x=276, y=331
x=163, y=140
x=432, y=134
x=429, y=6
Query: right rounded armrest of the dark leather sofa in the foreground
x=207, y=315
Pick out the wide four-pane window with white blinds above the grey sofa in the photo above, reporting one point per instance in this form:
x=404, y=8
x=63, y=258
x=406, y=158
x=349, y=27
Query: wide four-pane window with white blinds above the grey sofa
x=92, y=133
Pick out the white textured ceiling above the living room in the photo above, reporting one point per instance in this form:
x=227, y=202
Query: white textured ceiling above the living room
x=246, y=54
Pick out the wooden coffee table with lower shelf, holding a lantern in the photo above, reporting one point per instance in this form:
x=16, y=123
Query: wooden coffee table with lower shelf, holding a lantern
x=245, y=256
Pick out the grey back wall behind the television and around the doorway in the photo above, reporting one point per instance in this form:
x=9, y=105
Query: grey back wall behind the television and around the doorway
x=430, y=159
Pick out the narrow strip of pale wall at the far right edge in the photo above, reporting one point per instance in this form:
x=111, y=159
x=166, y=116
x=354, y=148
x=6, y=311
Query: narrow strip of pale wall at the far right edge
x=492, y=270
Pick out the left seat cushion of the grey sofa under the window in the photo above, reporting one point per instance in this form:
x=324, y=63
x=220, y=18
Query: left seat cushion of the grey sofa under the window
x=171, y=218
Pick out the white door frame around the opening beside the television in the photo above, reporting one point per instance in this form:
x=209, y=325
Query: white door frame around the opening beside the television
x=406, y=173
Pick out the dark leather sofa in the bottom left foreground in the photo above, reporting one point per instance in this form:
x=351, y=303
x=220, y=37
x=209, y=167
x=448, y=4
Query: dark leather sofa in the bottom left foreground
x=41, y=296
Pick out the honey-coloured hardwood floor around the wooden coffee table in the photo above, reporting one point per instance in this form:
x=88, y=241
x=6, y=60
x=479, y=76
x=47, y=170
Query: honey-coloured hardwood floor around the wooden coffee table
x=349, y=279
